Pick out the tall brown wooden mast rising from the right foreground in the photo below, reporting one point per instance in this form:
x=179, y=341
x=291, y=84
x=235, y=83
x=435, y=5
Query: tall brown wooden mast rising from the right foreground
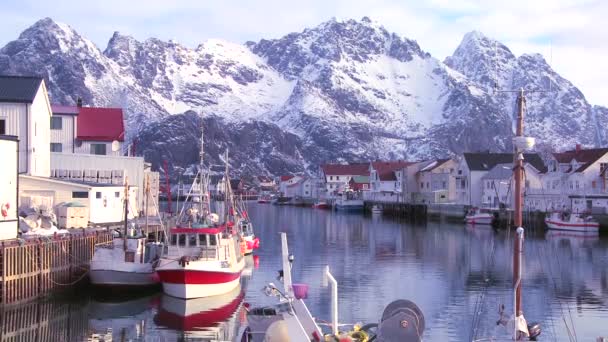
x=518, y=174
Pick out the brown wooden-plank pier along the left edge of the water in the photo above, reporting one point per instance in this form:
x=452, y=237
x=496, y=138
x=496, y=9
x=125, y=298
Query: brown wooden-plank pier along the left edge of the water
x=33, y=268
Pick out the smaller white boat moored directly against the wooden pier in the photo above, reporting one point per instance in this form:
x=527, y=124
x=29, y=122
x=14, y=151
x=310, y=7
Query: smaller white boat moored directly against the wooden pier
x=126, y=261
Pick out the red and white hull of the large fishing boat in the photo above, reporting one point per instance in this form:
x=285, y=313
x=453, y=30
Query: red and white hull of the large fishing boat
x=188, y=283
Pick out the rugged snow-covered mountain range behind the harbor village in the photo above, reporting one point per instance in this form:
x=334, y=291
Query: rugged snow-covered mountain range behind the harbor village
x=344, y=90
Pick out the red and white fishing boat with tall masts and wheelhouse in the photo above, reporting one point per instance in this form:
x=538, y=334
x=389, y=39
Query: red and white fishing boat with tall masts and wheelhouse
x=204, y=257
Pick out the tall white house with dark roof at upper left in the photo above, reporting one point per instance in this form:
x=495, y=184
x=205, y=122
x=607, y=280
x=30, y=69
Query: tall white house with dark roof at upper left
x=25, y=112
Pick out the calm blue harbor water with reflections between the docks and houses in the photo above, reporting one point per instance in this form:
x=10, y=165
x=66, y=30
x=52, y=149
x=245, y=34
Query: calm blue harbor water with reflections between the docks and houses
x=458, y=276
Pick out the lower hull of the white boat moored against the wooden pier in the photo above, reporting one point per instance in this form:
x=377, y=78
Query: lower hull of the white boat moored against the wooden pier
x=113, y=278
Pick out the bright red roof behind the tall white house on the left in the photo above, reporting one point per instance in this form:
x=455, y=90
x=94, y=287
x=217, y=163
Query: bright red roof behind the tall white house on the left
x=100, y=124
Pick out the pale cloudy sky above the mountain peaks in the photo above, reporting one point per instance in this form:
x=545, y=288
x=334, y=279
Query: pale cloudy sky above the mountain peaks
x=572, y=35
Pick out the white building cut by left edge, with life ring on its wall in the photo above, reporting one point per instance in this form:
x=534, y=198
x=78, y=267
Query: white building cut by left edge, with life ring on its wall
x=9, y=221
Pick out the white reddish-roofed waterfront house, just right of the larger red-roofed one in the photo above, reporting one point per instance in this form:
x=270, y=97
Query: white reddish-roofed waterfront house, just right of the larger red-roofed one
x=386, y=180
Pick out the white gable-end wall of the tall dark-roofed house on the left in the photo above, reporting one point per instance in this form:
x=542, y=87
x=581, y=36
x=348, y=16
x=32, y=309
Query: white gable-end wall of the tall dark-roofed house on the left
x=40, y=133
